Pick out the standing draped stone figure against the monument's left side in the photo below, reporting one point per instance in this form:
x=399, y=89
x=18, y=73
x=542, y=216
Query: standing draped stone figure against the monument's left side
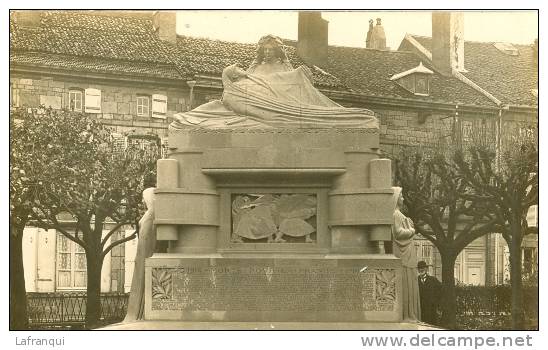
x=145, y=249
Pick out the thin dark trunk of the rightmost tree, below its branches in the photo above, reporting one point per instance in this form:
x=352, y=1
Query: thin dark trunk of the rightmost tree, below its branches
x=515, y=276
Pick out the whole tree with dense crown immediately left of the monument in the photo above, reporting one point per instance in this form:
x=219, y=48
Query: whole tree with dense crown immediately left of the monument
x=89, y=180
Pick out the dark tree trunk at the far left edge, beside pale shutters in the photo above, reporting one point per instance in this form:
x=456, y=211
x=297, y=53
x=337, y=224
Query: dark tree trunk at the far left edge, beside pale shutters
x=18, y=295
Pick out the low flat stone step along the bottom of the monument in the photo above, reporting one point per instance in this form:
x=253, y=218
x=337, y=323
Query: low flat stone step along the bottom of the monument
x=191, y=326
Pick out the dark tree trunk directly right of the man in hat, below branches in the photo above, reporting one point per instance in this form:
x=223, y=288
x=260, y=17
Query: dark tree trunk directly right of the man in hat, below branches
x=449, y=300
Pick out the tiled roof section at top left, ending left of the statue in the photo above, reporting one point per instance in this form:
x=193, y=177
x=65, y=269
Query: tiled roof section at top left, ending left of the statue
x=91, y=42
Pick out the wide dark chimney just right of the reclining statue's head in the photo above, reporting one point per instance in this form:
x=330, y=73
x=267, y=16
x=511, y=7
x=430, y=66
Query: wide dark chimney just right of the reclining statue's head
x=312, y=38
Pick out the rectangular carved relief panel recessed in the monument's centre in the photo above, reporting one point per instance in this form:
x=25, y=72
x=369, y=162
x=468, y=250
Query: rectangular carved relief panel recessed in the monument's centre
x=274, y=218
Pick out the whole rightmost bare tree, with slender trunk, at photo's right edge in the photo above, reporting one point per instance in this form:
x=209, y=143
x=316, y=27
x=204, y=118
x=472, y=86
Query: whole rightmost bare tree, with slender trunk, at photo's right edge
x=507, y=178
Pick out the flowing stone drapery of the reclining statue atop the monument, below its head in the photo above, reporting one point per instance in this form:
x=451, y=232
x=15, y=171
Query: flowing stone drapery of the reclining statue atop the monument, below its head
x=285, y=99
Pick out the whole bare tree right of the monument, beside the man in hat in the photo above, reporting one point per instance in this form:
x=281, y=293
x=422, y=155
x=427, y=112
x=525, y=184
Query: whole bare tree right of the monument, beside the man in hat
x=436, y=199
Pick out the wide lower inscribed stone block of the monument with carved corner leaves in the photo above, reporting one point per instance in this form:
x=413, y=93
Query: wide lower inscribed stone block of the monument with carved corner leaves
x=273, y=288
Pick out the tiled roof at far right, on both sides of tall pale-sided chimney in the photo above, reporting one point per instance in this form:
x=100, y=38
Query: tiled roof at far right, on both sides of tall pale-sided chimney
x=508, y=78
